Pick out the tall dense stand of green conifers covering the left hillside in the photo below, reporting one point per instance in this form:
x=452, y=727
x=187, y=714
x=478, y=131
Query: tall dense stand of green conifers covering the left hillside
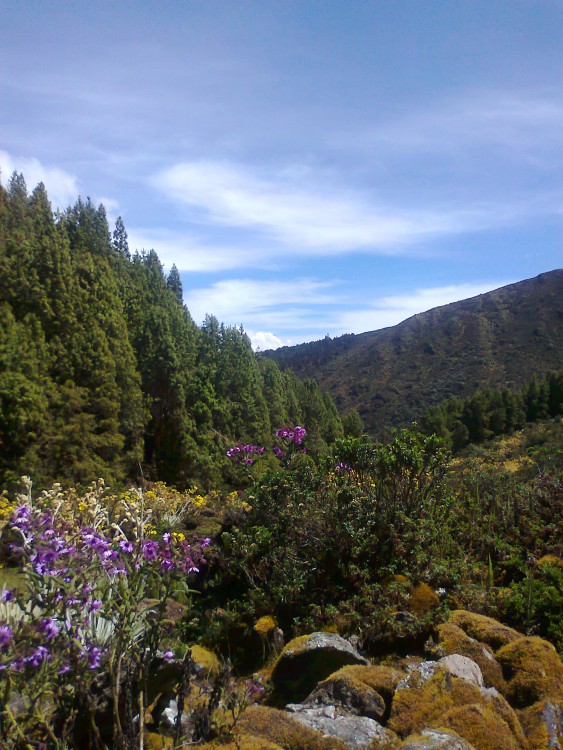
x=103, y=372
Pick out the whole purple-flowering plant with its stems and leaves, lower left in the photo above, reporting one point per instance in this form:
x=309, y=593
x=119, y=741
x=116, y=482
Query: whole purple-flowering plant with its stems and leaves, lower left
x=82, y=633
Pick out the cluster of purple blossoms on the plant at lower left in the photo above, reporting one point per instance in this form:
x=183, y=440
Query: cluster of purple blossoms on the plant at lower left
x=69, y=569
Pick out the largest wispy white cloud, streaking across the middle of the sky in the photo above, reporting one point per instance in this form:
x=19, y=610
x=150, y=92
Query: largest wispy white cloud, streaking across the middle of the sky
x=295, y=208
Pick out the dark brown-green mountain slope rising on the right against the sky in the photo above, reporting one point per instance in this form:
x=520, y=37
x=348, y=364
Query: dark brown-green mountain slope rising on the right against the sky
x=502, y=338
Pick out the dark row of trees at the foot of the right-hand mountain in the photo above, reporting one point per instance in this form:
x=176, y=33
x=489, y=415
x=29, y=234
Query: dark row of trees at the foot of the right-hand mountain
x=490, y=412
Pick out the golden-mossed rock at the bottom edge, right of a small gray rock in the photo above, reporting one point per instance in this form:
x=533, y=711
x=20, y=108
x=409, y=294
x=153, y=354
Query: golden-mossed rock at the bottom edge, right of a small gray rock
x=482, y=727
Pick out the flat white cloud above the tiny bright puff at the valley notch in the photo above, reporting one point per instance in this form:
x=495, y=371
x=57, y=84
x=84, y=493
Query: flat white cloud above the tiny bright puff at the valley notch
x=253, y=302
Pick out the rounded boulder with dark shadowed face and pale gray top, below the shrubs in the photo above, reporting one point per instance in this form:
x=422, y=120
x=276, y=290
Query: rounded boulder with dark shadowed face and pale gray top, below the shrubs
x=309, y=659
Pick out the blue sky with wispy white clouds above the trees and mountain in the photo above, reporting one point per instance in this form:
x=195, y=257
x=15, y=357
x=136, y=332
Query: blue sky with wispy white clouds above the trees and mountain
x=312, y=167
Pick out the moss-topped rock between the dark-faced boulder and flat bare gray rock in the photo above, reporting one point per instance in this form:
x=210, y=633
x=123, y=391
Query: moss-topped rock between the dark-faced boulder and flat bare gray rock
x=363, y=690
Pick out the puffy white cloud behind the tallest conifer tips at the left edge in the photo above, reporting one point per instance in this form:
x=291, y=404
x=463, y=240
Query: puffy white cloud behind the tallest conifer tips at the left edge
x=62, y=187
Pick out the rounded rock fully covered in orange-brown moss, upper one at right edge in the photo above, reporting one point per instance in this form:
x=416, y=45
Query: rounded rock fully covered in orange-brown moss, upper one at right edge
x=532, y=669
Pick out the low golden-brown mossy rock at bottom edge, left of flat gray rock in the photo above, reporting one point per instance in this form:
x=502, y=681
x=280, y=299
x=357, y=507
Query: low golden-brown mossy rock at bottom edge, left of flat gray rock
x=283, y=729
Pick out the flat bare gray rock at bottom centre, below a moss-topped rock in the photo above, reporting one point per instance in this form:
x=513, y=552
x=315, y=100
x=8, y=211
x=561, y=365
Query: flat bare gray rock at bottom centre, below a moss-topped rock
x=356, y=732
